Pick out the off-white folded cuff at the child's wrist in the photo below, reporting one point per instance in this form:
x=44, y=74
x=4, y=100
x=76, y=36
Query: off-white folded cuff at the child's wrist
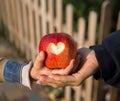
x=25, y=77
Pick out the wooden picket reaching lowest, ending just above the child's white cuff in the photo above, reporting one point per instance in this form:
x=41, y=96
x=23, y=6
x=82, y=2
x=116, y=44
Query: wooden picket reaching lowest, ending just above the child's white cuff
x=25, y=35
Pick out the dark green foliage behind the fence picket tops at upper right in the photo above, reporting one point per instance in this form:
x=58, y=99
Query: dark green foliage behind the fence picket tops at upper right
x=83, y=7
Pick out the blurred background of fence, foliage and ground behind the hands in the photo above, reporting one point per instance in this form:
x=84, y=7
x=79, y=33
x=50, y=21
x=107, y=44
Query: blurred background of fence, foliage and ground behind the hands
x=24, y=22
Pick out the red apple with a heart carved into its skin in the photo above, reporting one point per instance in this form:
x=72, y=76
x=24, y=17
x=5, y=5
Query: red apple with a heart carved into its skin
x=62, y=58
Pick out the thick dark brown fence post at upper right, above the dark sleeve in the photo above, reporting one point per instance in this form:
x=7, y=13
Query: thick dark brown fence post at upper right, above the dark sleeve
x=105, y=19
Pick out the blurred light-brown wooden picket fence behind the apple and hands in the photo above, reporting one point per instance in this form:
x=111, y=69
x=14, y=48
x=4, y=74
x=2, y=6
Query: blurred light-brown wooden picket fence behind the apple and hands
x=28, y=20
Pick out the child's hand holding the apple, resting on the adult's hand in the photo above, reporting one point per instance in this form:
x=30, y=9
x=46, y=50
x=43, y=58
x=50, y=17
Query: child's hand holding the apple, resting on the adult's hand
x=40, y=69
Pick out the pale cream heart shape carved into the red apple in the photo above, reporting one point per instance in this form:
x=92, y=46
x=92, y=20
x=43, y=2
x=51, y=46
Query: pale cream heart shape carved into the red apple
x=56, y=49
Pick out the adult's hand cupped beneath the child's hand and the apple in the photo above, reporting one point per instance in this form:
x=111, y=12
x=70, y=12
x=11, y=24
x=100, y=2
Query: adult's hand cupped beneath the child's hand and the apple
x=87, y=67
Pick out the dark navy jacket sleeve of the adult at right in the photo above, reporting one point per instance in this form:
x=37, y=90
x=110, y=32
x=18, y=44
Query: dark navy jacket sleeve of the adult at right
x=108, y=57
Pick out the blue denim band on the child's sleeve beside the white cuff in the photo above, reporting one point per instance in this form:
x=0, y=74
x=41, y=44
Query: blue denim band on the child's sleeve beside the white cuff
x=12, y=71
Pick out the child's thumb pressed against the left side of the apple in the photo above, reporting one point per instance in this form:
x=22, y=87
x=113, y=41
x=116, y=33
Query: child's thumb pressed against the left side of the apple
x=39, y=62
